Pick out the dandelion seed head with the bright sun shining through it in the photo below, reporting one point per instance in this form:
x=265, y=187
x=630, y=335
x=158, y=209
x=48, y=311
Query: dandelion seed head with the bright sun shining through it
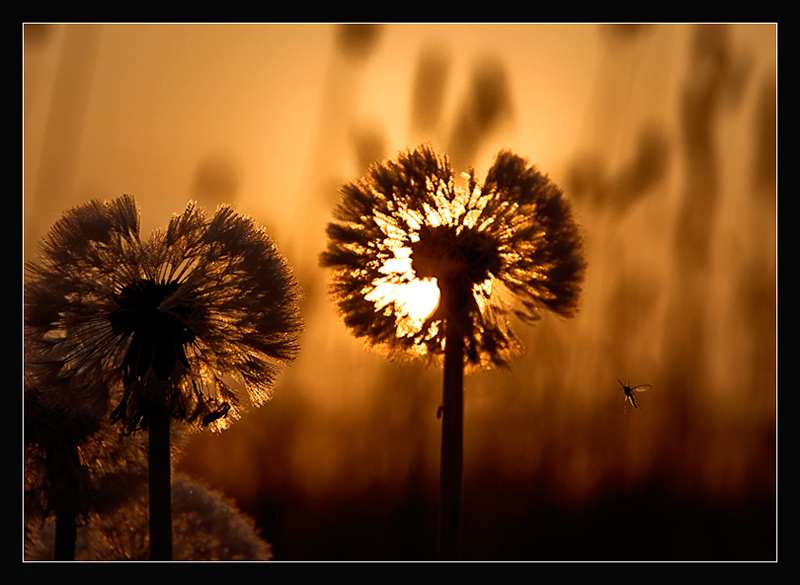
x=407, y=230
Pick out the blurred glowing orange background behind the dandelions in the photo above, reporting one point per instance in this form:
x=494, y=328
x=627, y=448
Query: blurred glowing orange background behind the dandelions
x=663, y=135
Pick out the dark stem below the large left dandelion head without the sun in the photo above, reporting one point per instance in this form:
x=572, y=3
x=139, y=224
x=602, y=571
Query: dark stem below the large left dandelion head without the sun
x=160, y=487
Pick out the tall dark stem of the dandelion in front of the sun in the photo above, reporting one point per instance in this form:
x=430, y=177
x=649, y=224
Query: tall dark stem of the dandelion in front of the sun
x=452, y=455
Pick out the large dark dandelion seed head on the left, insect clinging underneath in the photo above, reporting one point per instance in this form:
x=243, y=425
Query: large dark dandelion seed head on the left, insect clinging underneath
x=197, y=318
